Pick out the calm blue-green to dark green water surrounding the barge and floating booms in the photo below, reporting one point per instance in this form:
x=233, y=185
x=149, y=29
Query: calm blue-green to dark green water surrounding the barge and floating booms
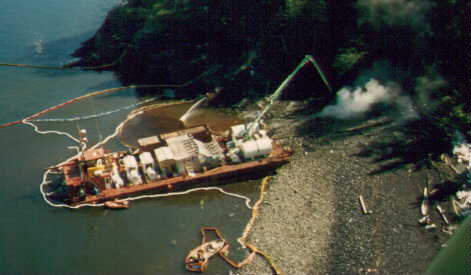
x=153, y=236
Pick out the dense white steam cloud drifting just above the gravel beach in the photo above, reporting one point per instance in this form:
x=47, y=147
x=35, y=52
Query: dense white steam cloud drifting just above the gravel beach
x=354, y=103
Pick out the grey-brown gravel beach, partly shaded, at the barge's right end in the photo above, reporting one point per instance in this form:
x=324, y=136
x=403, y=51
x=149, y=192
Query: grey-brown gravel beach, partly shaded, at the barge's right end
x=311, y=221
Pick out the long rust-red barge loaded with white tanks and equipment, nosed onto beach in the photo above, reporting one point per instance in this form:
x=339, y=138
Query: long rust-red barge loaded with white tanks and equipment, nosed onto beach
x=166, y=162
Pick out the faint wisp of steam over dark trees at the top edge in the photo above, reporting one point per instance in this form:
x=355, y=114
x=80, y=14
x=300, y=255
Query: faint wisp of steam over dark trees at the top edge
x=380, y=13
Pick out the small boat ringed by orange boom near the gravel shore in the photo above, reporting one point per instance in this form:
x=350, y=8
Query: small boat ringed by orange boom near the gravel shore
x=197, y=259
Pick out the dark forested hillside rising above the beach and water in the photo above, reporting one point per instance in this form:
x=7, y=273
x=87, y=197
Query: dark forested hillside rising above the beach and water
x=248, y=47
